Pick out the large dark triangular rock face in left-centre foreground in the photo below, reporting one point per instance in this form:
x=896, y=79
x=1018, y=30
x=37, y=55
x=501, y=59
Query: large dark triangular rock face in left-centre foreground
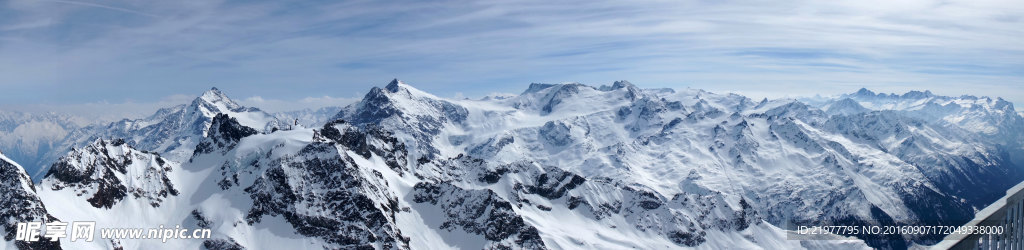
x=325, y=195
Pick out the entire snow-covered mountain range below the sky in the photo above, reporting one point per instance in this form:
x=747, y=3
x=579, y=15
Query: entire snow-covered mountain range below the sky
x=560, y=166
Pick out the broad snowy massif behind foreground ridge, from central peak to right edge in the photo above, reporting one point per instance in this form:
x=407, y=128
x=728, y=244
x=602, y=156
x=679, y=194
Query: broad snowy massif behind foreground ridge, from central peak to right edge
x=789, y=161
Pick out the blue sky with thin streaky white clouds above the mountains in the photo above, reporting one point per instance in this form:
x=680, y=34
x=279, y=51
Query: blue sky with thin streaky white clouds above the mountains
x=136, y=56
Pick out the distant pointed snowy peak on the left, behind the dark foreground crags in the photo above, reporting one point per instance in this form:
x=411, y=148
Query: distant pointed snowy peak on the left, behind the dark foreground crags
x=174, y=133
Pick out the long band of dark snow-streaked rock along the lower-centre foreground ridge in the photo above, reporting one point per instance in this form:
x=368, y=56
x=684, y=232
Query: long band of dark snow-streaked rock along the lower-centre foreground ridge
x=684, y=219
